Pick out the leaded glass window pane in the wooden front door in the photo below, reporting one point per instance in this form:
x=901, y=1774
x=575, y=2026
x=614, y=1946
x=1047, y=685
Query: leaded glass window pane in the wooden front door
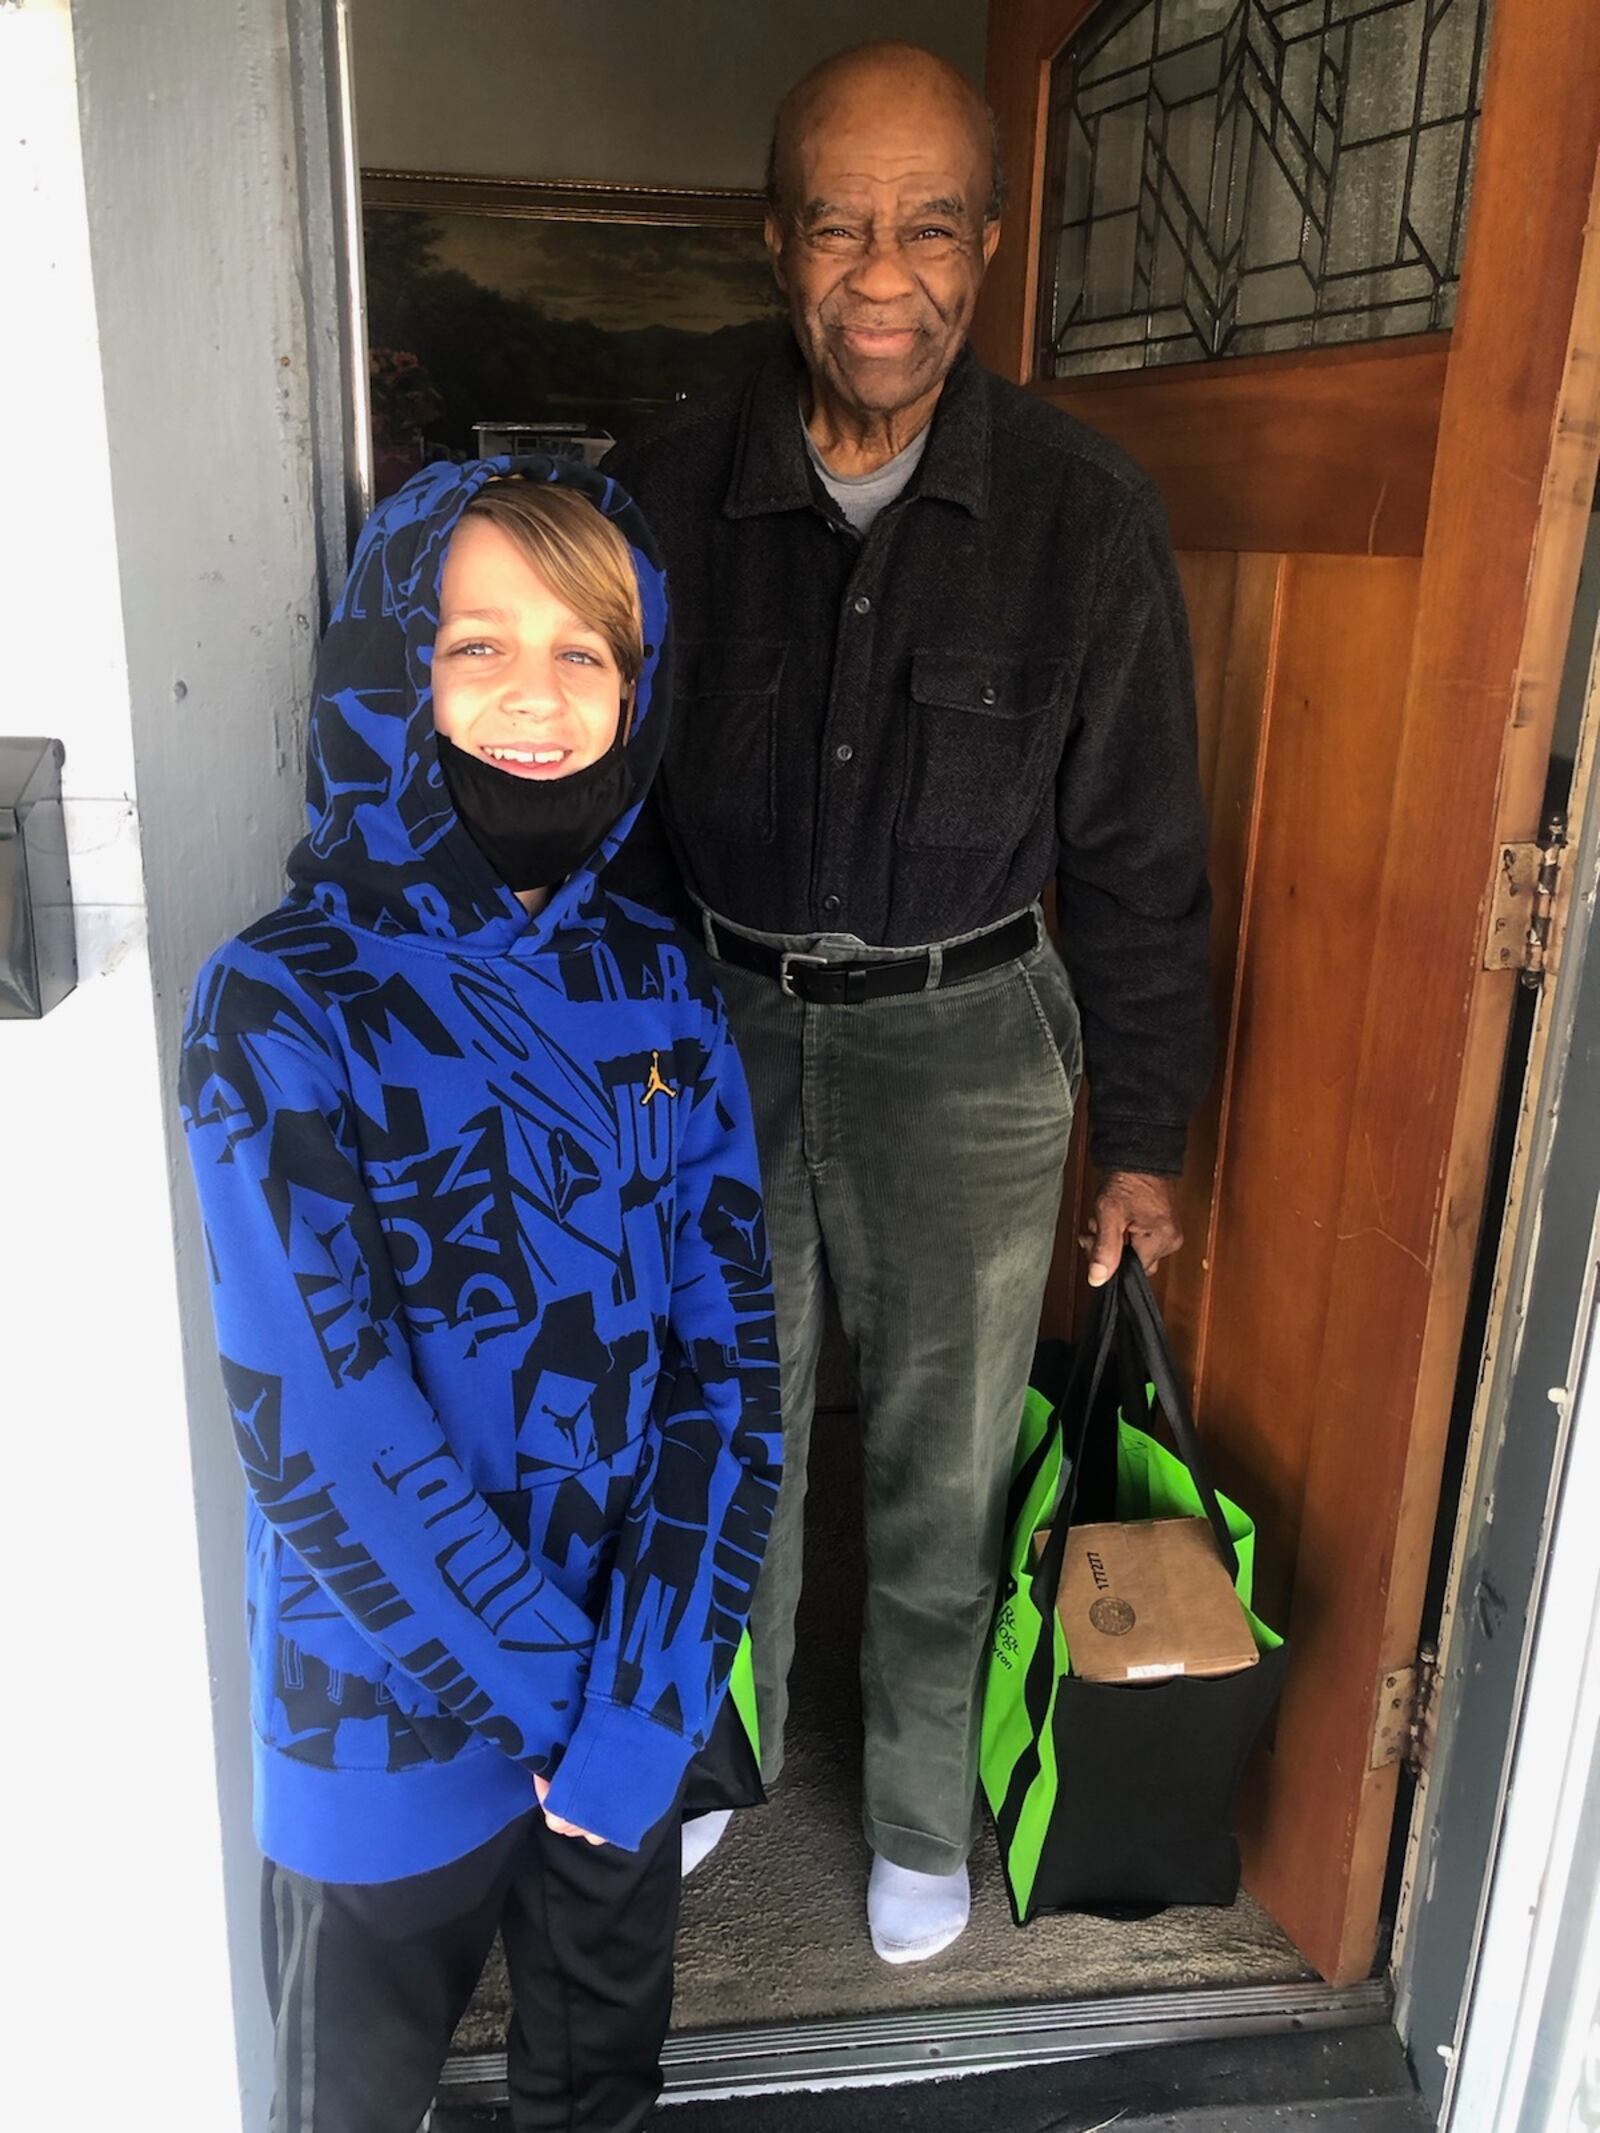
x=1230, y=178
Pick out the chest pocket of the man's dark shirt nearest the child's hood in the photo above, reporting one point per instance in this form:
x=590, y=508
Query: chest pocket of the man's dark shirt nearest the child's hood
x=724, y=748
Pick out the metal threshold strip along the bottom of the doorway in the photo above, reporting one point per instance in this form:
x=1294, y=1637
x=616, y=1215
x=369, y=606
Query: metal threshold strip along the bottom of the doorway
x=869, y=2051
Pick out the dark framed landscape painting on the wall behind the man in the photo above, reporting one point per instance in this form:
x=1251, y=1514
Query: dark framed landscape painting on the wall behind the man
x=549, y=317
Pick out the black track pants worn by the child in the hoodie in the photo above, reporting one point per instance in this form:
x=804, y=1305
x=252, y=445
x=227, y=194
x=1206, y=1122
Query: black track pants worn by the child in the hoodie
x=370, y=1980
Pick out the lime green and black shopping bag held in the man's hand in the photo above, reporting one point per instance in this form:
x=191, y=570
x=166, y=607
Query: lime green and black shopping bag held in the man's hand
x=1115, y=1795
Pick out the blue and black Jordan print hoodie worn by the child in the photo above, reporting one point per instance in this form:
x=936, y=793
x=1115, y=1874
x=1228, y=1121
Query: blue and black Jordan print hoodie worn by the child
x=490, y=1279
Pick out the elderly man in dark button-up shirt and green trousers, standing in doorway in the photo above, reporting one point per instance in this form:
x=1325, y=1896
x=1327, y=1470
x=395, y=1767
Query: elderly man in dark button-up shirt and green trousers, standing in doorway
x=931, y=652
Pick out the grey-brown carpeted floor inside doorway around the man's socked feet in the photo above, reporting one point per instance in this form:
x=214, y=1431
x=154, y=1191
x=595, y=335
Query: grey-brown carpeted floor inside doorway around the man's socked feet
x=775, y=1923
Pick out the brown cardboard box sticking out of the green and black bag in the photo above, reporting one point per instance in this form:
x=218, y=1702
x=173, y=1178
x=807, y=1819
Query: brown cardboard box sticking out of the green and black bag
x=1149, y=1601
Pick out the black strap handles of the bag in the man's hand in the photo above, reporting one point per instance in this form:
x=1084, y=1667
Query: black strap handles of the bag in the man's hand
x=1125, y=1304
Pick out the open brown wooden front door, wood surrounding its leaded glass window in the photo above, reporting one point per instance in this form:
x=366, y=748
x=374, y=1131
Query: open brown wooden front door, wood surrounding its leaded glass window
x=1379, y=547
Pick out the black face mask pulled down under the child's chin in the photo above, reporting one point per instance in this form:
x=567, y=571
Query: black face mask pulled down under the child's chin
x=537, y=831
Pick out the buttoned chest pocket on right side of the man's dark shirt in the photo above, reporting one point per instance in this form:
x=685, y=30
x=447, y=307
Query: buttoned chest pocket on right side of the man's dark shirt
x=982, y=739
